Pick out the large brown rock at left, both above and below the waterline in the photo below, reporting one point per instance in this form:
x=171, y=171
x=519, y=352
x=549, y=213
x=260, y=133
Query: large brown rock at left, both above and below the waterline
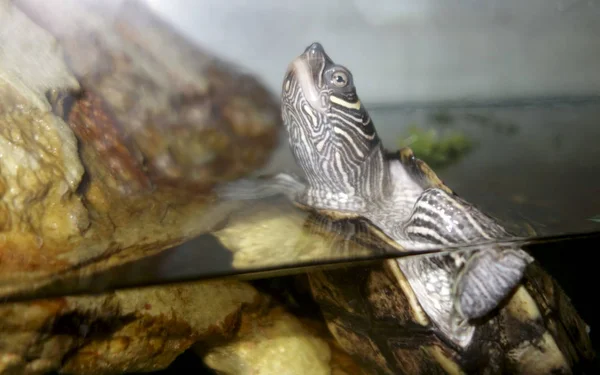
x=113, y=131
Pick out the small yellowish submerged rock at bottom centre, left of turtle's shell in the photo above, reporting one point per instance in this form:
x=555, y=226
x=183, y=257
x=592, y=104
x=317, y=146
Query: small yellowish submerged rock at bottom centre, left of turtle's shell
x=279, y=343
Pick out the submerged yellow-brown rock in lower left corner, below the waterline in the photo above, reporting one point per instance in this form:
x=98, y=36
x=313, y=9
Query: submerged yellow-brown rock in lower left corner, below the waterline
x=125, y=331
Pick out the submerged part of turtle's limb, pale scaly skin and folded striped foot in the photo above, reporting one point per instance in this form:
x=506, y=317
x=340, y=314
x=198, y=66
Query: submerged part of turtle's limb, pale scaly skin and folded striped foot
x=457, y=286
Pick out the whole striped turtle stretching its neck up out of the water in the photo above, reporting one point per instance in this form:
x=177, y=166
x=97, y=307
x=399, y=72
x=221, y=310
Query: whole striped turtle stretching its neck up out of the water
x=483, y=305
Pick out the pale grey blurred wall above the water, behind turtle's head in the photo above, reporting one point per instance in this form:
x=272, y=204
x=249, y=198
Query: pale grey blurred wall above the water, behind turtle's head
x=411, y=51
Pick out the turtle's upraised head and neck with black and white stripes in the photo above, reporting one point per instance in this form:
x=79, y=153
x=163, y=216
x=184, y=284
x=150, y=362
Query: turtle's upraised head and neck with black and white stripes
x=331, y=134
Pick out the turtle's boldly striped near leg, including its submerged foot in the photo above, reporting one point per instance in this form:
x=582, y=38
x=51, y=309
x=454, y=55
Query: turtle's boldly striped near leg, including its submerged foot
x=484, y=275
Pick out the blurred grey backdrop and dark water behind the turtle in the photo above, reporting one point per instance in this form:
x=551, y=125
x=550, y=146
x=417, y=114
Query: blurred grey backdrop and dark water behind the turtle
x=421, y=67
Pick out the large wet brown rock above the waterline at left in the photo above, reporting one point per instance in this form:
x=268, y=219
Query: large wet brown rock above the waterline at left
x=113, y=131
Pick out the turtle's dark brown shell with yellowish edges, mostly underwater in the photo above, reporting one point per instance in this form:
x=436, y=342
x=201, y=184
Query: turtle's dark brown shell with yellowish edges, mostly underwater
x=376, y=317
